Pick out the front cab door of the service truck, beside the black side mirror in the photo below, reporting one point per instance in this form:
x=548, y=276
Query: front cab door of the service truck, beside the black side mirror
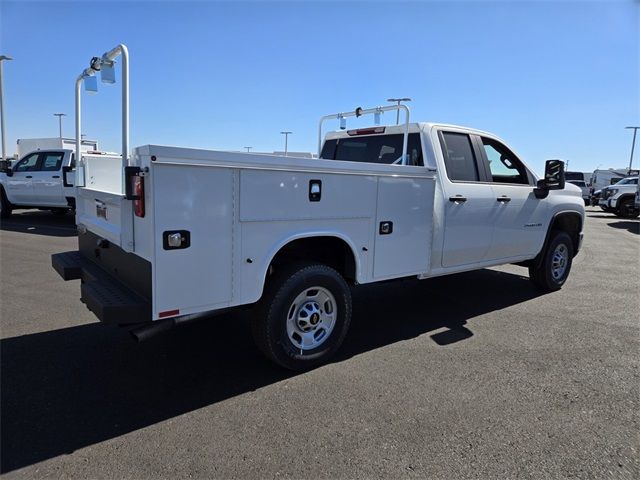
x=519, y=218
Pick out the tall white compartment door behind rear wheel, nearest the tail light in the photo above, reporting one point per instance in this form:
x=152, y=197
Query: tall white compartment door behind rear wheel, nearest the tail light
x=197, y=201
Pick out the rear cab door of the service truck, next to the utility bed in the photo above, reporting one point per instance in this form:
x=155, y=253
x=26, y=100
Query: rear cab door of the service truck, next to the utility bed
x=467, y=202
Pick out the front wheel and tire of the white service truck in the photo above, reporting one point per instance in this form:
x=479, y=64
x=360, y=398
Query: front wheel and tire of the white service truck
x=545, y=274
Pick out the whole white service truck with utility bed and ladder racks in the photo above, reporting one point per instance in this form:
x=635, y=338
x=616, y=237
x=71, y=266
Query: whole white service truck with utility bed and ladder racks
x=173, y=233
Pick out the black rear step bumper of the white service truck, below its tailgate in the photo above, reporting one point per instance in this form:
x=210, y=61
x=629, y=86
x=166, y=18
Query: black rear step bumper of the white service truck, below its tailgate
x=107, y=298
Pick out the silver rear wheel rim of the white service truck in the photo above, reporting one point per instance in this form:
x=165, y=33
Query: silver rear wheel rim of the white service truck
x=311, y=318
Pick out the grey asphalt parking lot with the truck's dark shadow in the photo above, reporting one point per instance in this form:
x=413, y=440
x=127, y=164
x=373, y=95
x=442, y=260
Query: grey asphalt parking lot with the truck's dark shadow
x=469, y=376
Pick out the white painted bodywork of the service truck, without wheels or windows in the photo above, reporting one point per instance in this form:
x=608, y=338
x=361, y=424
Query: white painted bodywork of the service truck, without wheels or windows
x=241, y=209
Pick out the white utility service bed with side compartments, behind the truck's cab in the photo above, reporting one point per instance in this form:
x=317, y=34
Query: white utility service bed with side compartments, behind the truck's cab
x=249, y=206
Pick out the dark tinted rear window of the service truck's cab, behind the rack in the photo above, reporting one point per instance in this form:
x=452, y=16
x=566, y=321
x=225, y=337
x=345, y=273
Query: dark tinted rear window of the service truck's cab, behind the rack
x=373, y=149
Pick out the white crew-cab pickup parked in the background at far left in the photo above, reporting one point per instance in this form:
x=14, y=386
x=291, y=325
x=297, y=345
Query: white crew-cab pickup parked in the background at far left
x=41, y=179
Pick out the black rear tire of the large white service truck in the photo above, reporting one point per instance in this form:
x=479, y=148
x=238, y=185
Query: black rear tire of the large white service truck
x=277, y=309
